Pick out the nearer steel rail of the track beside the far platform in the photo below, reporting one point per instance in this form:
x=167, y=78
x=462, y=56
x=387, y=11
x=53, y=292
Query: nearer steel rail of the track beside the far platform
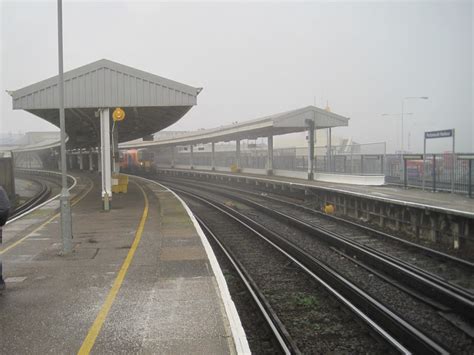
x=432, y=286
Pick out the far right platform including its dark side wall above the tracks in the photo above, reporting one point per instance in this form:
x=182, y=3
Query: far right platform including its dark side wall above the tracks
x=437, y=219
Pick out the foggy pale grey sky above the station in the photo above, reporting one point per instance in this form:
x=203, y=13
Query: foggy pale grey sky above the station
x=255, y=59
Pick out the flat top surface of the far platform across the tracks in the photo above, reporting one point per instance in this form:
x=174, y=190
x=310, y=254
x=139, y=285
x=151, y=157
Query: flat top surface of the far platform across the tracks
x=441, y=201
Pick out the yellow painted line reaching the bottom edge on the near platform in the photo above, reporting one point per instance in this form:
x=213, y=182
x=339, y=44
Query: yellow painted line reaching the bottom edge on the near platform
x=99, y=321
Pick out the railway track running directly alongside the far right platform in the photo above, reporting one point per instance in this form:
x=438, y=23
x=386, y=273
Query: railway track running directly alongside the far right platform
x=419, y=274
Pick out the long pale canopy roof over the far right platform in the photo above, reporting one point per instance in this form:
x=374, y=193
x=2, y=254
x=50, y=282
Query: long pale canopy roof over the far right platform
x=280, y=123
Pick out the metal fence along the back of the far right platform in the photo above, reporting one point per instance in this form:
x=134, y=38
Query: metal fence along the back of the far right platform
x=438, y=170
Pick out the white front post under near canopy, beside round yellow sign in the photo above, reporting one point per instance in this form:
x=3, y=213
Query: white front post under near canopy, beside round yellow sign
x=106, y=166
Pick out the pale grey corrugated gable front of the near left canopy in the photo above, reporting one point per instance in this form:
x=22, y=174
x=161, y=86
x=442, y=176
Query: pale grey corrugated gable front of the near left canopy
x=105, y=84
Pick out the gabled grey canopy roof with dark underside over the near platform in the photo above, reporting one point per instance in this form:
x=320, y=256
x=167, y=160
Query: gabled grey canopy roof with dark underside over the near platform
x=150, y=102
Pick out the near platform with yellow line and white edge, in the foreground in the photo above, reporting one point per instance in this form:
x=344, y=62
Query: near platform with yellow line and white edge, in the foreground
x=141, y=279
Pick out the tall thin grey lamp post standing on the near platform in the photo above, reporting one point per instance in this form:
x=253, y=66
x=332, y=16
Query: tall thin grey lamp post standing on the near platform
x=66, y=222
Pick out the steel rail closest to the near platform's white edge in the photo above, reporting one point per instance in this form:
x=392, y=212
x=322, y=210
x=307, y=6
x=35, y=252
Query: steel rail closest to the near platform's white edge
x=287, y=344
